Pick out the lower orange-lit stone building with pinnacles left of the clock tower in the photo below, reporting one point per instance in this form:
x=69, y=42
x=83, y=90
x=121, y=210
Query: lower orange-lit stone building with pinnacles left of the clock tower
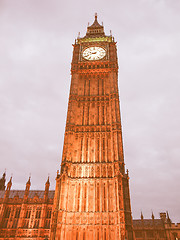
x=25, y=214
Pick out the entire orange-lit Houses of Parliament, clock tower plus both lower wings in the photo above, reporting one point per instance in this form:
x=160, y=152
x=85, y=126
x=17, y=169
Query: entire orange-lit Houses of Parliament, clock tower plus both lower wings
x=91, y=200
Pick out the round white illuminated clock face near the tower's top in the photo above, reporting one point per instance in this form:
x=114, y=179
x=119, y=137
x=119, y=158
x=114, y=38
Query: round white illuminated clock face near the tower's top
x=94, y=53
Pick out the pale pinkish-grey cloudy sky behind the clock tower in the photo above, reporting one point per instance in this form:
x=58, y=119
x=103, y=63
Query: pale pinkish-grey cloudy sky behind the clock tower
x=36, y=40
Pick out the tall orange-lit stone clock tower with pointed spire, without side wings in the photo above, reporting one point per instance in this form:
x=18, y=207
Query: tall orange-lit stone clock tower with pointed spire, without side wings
x=92, y=200
